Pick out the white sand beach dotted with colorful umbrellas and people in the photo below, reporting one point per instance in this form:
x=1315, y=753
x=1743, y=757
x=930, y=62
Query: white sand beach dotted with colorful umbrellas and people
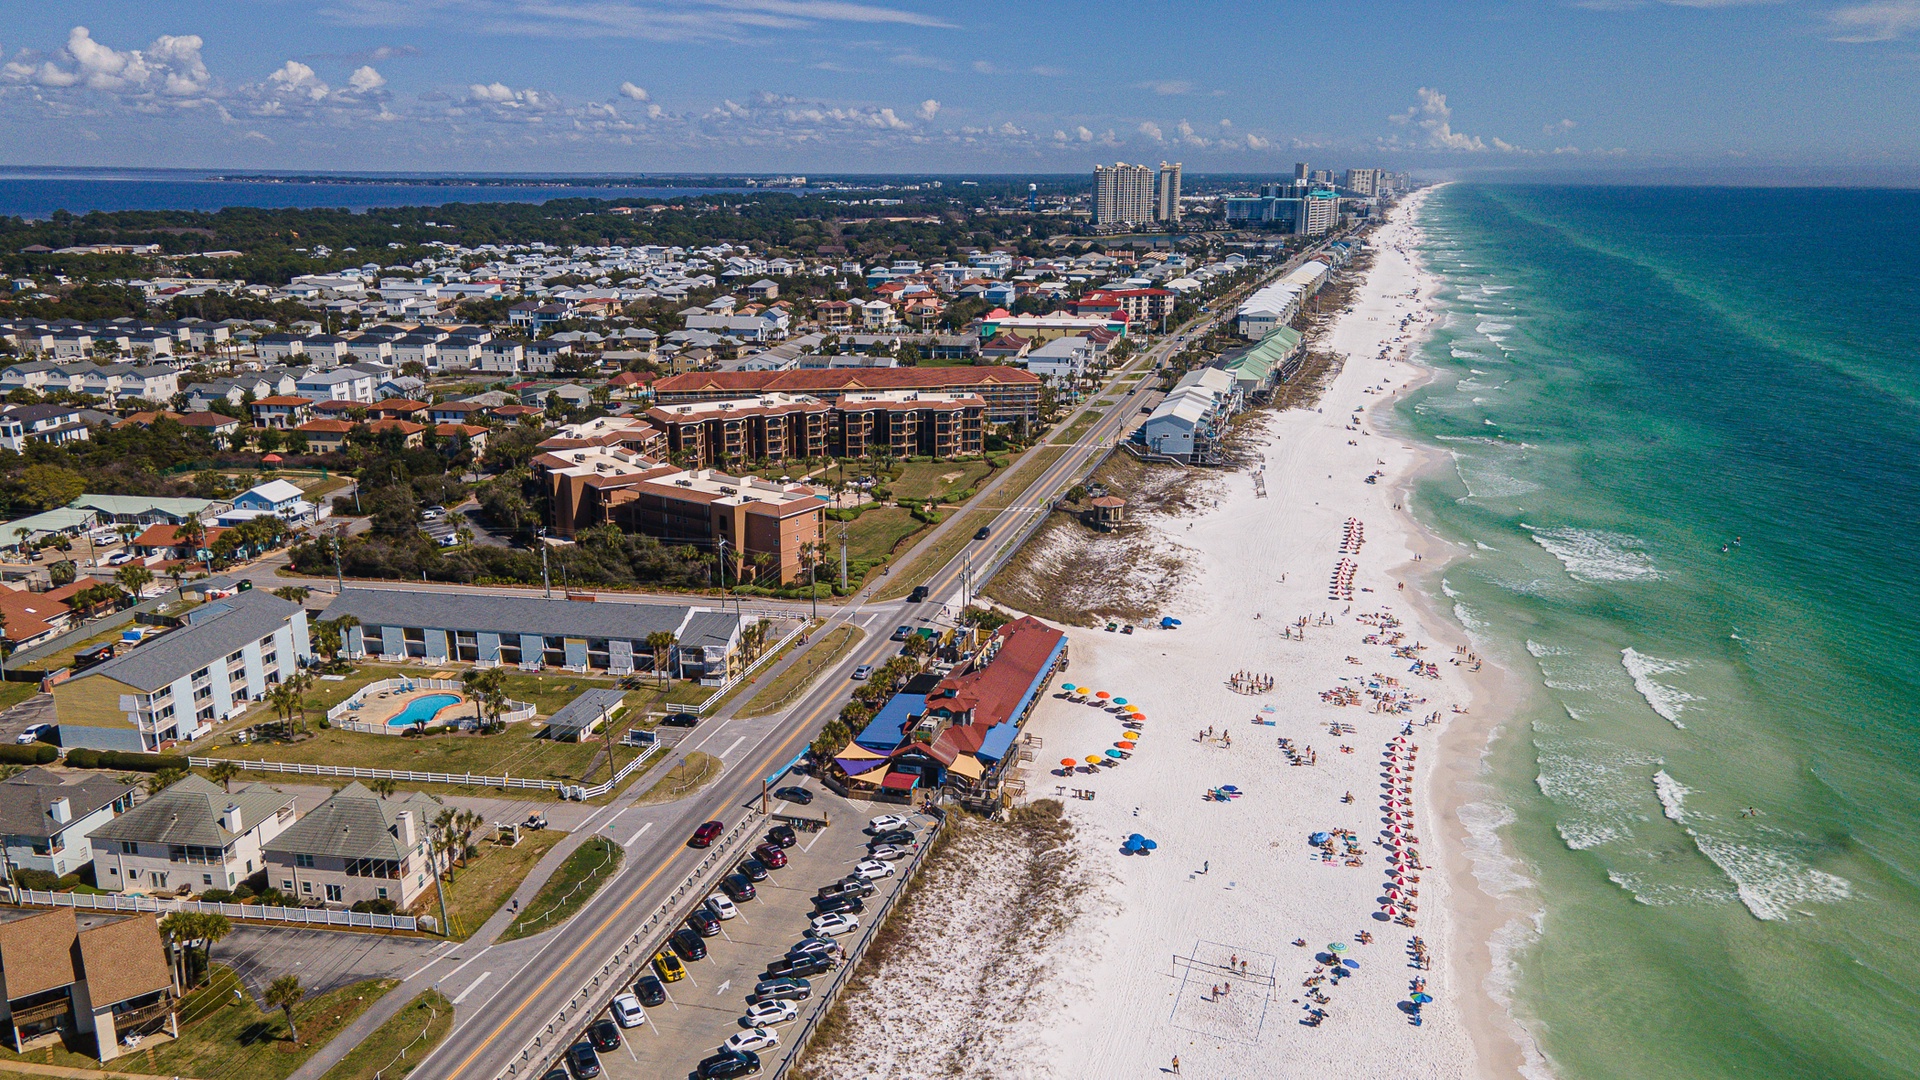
x=1191, y=950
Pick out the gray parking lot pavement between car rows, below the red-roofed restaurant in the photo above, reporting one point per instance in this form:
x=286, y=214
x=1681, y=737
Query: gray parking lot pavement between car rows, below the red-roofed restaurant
x=706, y=1008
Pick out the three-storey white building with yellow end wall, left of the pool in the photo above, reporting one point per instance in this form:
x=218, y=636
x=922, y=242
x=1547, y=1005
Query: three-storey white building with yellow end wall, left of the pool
x=187, y=679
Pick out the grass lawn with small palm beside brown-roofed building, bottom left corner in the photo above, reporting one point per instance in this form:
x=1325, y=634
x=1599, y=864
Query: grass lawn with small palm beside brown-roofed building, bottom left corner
x=228, y=1037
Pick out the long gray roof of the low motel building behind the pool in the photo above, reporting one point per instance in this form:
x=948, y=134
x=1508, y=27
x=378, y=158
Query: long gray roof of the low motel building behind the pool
x=521, y=614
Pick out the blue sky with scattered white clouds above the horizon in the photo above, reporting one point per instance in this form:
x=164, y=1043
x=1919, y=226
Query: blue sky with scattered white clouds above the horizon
x=994, y=87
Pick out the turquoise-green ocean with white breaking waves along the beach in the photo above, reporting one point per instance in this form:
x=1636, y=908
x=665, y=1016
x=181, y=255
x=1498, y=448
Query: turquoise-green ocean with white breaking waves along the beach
x=1714, y=789
